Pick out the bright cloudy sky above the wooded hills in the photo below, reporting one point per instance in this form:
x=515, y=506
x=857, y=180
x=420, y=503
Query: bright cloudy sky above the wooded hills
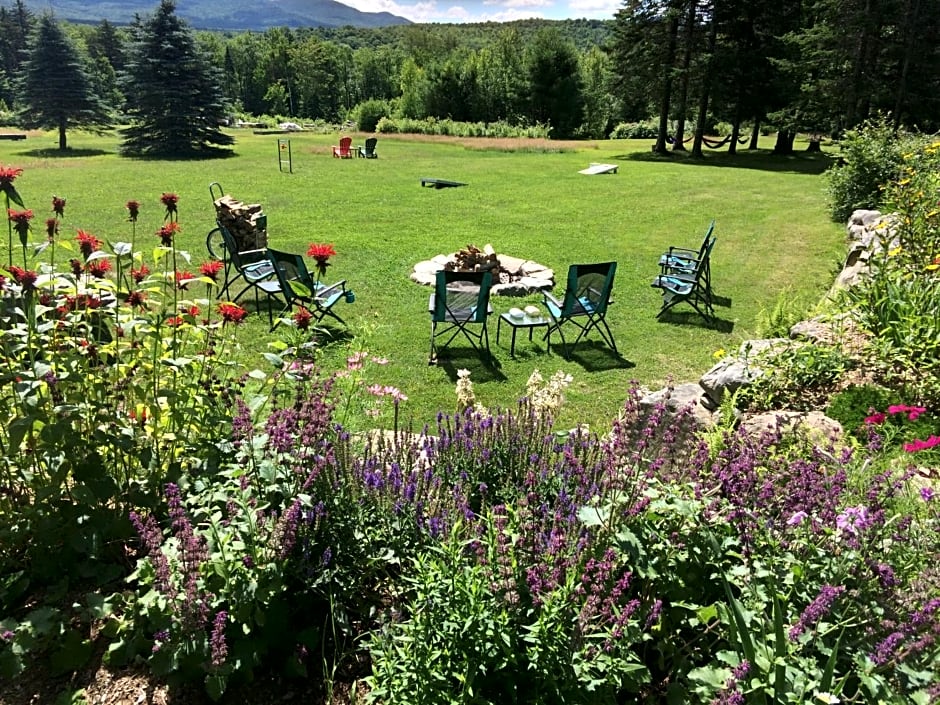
x=489, y=10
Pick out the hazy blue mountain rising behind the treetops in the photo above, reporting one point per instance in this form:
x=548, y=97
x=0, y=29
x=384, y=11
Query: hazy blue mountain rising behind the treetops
x=235, y=15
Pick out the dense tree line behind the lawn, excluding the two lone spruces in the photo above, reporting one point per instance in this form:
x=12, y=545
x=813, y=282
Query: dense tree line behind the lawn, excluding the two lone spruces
x=818, y=66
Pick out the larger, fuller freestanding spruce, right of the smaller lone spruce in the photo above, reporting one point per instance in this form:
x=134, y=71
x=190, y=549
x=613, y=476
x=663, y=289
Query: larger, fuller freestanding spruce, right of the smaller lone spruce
x=174, y=94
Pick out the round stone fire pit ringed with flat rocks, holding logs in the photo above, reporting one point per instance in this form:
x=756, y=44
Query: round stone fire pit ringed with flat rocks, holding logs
x=513, y=276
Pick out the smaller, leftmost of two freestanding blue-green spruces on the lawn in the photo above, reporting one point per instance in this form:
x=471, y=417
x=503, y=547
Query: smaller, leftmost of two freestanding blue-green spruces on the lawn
x=55, y=90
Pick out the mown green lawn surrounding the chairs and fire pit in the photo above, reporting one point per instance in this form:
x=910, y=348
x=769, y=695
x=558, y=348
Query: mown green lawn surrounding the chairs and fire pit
x=527, y=201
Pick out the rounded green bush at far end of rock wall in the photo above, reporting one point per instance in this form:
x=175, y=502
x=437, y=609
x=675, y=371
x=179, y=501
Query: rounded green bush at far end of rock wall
x=870, y=159
